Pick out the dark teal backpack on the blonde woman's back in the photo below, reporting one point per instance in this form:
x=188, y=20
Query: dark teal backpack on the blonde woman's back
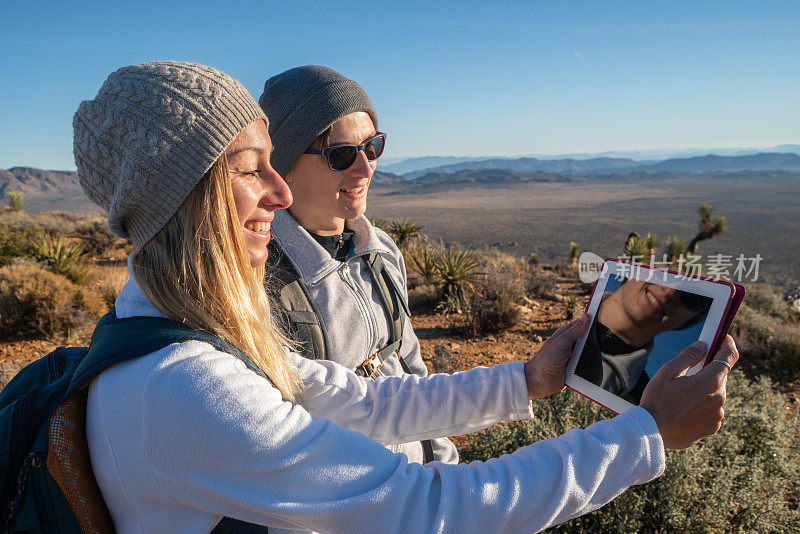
x=47, y=480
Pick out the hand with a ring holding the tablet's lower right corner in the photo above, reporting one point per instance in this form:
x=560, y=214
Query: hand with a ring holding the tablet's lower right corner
x=689, y=408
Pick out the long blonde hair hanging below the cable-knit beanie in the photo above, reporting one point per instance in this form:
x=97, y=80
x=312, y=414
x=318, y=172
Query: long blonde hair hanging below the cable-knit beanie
x=196, y=271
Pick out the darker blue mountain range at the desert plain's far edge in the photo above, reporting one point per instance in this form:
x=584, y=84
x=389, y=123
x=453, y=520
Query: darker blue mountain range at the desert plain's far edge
x=700, y=164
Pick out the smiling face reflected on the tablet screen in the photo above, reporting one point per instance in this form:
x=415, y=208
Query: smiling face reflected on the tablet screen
x=653, y=307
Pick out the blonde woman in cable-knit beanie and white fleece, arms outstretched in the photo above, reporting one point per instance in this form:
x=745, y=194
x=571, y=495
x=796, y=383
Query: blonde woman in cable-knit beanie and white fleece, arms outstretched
x=178, y=155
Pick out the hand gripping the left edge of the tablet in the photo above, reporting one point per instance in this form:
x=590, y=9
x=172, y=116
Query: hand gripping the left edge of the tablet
x=544, y=373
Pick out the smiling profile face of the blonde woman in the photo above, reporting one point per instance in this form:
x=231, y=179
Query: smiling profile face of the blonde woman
x=257, y=189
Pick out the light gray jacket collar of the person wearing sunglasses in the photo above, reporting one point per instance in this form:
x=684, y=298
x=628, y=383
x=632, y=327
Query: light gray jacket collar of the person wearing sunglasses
x=313, y=262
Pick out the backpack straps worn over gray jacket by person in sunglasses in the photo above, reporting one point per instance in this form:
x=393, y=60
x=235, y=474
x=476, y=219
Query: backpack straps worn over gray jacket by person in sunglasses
x=302, y=321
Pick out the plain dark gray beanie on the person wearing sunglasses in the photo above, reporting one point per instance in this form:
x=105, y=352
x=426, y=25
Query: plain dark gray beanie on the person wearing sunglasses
x=303, y=102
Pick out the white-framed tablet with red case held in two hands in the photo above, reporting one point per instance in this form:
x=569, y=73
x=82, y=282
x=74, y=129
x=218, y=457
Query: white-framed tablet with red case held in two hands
x=642, y=317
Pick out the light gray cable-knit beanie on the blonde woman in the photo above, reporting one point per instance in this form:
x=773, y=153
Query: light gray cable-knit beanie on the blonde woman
x=149, y=136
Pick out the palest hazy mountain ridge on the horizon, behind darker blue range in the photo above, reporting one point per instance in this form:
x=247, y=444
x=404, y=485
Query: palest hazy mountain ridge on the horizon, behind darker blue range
x=409, y=165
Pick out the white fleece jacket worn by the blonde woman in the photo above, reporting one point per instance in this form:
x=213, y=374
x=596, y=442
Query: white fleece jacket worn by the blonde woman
x=187, y=435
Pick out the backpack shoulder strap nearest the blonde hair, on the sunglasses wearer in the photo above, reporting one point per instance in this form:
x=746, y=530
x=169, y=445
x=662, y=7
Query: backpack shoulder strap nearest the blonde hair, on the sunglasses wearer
x=297, y=313
